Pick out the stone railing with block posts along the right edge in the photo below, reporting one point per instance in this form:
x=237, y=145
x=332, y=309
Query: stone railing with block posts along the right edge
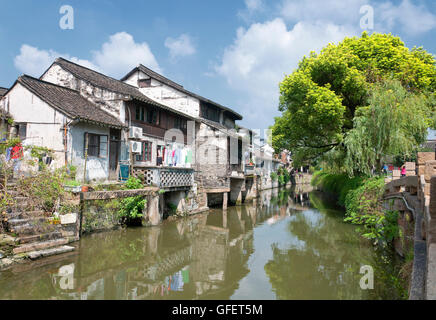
x=417, y=194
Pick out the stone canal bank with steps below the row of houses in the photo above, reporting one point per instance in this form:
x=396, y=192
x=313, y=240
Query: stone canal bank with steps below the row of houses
x=97, y=212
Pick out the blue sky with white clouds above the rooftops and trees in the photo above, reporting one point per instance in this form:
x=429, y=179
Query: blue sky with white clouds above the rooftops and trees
x=233, y=52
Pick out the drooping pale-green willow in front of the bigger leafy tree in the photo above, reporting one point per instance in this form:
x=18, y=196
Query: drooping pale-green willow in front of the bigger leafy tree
x=394, y=124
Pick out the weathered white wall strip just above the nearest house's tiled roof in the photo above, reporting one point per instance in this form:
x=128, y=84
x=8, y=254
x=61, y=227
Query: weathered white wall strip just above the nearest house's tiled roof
x=107, y=100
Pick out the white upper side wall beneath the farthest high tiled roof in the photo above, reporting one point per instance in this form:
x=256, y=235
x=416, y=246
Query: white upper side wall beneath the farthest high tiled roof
x=167, y=95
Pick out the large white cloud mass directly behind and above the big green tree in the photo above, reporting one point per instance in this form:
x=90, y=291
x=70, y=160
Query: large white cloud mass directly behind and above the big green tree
x=255, y=63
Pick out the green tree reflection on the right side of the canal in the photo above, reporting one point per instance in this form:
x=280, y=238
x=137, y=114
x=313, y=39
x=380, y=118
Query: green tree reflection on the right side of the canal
x=325, y=262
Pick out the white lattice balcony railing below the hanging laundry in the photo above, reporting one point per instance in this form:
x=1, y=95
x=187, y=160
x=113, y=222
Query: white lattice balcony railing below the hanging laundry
x=166, y=177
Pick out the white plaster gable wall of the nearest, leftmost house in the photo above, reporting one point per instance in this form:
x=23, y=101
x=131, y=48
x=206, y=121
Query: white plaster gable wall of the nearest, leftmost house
x=44, y=123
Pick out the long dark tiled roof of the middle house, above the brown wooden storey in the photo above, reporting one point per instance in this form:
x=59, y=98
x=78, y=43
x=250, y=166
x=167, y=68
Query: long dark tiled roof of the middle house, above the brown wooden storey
x=105, y=82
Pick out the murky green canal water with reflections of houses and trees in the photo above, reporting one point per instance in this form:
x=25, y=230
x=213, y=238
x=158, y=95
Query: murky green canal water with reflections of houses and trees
x=286, y=245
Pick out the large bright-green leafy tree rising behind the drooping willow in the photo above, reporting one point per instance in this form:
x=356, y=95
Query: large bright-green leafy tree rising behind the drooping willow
x=320, y=99
